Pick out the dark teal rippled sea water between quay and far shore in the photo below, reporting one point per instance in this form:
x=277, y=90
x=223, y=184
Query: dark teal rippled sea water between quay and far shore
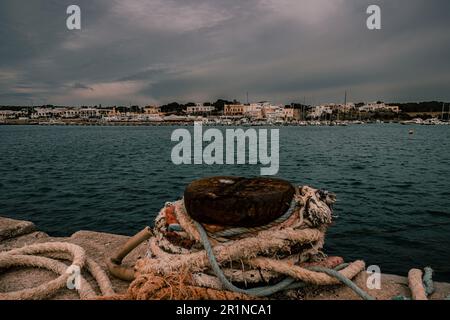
x=393, y=188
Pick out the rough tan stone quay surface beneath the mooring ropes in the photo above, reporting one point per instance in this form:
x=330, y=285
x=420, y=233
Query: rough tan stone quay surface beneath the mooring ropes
x=99, y=246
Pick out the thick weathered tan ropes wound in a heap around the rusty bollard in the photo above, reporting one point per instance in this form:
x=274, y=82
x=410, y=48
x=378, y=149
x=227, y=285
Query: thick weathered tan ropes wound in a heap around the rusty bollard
x=296, y=237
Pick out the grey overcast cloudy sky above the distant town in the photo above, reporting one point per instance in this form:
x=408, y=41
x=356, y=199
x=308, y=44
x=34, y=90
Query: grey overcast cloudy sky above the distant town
x=158, y=51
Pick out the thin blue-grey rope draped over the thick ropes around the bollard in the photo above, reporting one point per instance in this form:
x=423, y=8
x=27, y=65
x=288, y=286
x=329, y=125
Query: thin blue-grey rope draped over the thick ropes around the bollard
x=268, y=290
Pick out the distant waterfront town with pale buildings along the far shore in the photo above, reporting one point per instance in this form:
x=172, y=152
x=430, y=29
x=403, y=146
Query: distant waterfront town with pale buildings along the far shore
x=224, y=112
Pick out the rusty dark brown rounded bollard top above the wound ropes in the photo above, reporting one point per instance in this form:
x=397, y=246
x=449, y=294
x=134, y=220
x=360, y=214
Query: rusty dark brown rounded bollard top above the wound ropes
x=238, y=201
